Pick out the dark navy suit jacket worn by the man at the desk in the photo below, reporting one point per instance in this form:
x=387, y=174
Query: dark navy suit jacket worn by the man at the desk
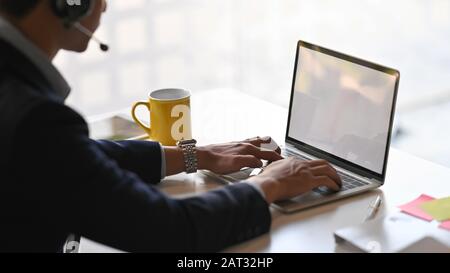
x=55, y=180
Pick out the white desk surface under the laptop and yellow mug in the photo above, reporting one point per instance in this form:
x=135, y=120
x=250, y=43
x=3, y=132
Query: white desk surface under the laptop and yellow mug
x=224, y=115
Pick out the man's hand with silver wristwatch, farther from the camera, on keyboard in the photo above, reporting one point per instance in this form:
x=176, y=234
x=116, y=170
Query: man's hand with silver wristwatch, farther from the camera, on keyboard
x=231, y=157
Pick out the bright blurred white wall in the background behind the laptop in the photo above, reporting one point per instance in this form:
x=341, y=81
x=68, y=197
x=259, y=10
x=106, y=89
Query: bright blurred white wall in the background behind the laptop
x=250, y=45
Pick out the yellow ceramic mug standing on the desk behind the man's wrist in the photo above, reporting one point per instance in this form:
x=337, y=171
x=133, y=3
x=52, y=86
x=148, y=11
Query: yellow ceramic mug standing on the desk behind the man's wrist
x=170, y=116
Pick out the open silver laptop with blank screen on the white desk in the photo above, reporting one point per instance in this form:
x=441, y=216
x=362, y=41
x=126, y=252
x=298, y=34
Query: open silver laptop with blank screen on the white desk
x=341, y=110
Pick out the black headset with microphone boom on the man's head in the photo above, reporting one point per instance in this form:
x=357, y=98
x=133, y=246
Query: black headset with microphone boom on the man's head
x=71, y=12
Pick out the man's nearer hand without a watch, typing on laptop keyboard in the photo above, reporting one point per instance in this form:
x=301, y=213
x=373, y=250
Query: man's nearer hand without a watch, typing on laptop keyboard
x=291, y=177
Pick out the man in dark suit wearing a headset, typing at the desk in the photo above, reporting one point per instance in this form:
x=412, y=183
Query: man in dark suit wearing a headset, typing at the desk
x=55, y=180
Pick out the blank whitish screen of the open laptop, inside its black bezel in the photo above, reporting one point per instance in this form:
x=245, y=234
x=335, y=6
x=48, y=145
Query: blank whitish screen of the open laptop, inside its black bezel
x=342, y=108
